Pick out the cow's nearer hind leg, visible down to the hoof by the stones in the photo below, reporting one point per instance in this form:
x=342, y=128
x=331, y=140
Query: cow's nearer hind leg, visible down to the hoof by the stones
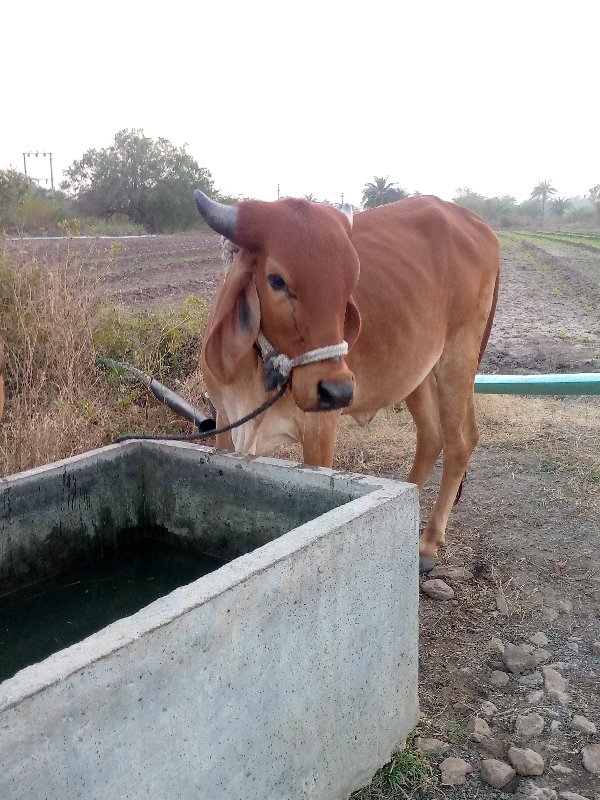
x=455, y=381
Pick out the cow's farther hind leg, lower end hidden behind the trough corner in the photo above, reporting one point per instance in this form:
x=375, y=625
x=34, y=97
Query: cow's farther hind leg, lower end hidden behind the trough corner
x=423, y=406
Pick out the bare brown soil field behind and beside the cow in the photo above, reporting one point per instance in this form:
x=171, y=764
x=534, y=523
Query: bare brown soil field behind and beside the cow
x=527, y=529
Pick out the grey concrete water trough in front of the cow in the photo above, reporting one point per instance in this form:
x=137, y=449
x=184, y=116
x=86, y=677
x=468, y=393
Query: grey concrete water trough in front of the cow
x=177, y=622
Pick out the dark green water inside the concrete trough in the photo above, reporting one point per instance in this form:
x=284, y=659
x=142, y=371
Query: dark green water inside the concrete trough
x=41, y=619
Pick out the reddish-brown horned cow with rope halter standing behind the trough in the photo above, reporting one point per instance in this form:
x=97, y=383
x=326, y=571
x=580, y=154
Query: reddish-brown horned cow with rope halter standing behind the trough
x=410, y=286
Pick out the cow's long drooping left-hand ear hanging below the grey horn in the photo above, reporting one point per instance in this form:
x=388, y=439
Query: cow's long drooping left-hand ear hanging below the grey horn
x=234, y=321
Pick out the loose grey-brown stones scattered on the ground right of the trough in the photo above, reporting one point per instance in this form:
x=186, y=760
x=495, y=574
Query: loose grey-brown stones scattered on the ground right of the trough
x=532, y=720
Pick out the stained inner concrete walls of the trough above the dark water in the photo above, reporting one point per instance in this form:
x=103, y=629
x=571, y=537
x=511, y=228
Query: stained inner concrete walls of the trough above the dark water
x=77, y=510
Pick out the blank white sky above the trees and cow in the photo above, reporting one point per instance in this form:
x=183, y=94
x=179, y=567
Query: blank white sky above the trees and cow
x=317, y=97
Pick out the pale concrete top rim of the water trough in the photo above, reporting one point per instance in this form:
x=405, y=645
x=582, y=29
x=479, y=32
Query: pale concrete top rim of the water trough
x=119, y=634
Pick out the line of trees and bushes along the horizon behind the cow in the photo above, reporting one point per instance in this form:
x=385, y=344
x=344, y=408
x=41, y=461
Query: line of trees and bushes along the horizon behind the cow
x=149, y=183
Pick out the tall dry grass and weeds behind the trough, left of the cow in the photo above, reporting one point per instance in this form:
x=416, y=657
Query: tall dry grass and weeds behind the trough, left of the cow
x=58, y=402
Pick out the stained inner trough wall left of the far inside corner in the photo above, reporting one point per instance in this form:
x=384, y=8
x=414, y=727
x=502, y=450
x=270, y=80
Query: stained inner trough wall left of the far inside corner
x=53, y=517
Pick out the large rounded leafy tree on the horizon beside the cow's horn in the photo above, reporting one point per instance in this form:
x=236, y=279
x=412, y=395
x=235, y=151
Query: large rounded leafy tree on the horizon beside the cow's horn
x=149, y=181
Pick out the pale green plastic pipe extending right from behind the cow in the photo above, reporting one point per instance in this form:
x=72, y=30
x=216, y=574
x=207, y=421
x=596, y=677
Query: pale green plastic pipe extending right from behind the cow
x=578, y=383
